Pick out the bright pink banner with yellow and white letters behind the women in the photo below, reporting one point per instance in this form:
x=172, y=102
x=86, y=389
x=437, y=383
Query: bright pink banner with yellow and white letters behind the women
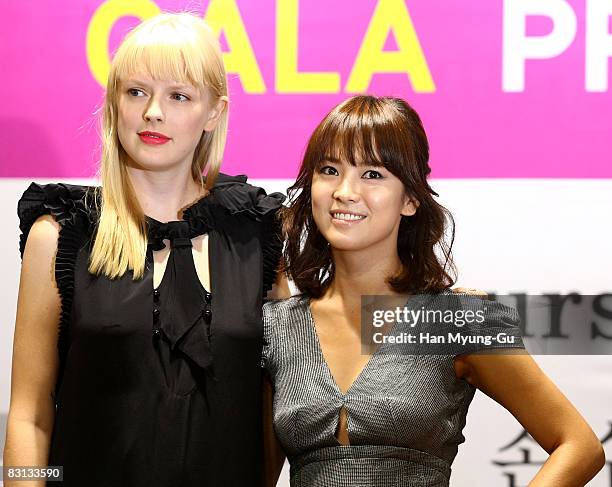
x=510, y=89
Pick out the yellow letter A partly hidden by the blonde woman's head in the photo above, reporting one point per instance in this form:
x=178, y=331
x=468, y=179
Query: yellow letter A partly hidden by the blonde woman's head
x=223, y=15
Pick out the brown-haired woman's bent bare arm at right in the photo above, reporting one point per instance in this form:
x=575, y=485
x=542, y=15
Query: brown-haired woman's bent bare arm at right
x=517, y=383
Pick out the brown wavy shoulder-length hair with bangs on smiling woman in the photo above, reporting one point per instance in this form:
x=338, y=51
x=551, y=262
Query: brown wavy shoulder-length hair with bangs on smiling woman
x=386, y=132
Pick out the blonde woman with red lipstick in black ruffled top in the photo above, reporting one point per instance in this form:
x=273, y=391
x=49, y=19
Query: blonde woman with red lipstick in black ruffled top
x=138, y=332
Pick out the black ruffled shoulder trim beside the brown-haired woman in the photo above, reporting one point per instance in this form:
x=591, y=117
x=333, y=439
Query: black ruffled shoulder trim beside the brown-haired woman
x=232, y=199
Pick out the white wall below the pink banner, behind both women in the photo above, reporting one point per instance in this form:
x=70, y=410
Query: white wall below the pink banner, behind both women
x=512, y=235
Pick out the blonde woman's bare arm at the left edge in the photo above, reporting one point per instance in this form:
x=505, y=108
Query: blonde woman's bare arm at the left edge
x=35, y=358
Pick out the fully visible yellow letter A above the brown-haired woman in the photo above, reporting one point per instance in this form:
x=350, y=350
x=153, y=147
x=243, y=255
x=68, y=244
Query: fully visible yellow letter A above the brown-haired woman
x=390, y=15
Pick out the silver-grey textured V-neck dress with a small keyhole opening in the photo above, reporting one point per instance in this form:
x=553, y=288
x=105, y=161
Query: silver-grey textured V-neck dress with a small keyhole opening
x=405, y=413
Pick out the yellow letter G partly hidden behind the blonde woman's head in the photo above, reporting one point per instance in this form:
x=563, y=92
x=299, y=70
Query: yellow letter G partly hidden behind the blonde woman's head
x=100, y=27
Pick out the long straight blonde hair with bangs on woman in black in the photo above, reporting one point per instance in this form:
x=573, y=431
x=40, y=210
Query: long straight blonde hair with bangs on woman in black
x=180, y=47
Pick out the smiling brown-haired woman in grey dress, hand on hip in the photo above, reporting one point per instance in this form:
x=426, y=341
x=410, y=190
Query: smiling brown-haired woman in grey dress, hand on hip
x=363, y=222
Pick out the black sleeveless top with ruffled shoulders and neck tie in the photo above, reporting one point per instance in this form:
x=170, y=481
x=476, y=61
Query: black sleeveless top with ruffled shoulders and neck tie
x=162, y=387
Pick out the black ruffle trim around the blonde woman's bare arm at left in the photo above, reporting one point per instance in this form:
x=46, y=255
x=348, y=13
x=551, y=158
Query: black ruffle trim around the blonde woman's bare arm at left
x=66, y=203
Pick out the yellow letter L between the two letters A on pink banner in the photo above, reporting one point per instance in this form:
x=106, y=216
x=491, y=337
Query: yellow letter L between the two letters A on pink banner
x=288, y=79
